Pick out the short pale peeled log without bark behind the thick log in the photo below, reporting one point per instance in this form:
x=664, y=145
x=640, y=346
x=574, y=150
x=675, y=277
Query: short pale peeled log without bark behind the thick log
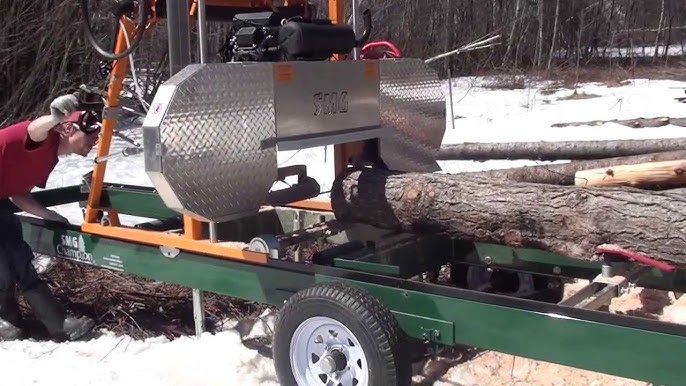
x=648, y=175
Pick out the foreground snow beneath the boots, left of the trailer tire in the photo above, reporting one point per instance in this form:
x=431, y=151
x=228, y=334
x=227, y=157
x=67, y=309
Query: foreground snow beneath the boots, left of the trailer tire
x=218, y=359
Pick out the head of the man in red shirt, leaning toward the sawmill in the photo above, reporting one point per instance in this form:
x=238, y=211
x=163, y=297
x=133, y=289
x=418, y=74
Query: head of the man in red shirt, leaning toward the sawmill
x=79, y=133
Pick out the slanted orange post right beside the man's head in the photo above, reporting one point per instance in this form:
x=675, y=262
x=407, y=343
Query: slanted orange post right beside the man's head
x=108, y=124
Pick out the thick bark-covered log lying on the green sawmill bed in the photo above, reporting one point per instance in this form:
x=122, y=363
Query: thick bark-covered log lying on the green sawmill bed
x=567, y=220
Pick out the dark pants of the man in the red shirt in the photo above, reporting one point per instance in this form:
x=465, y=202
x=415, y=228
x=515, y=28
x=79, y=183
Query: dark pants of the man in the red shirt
x=16, y=267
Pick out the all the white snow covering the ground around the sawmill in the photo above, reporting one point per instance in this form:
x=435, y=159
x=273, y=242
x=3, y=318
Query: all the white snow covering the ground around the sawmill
x=486, y=116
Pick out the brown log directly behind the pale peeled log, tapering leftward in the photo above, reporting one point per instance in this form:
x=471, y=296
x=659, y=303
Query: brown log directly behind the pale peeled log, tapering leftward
x=564, y=174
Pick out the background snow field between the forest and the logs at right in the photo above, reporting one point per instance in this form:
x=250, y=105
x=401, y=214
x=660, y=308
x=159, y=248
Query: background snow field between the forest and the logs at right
x=524, y=115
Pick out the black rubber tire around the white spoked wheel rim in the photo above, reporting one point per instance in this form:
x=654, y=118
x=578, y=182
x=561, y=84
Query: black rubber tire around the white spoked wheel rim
x=370, y=322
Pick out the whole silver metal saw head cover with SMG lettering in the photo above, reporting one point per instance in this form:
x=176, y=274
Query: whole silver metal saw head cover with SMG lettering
x=212, y=131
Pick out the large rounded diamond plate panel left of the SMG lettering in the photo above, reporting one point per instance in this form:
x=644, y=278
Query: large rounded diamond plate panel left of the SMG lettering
x=205, y=137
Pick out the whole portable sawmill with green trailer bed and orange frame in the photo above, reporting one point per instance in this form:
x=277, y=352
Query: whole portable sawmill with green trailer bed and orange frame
x=368, y=302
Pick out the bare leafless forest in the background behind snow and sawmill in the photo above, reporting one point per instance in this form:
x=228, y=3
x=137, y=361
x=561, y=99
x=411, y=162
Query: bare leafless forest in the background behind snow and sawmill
x=45, y=52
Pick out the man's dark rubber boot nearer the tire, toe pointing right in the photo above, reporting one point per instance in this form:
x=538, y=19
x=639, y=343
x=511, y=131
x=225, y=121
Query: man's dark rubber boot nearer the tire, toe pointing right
x=54, y=316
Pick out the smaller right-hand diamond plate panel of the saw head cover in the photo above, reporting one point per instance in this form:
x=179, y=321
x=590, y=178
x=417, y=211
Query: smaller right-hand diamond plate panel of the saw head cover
x=413, y=102
